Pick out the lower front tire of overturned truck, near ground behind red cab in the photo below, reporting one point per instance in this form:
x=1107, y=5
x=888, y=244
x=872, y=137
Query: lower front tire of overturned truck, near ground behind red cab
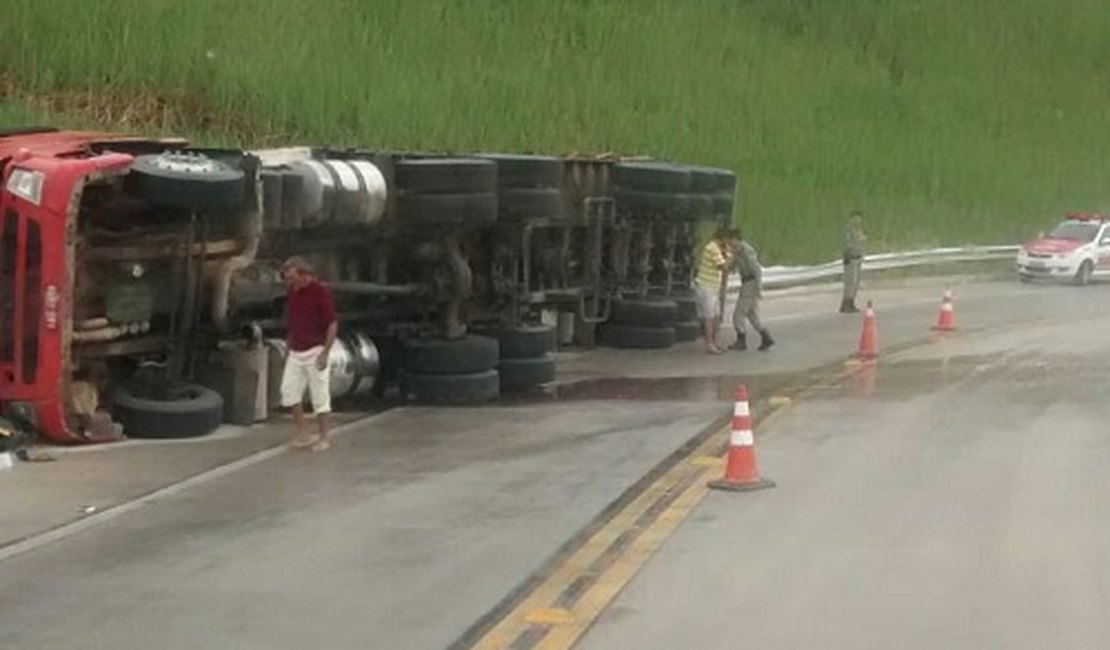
x=196, y=411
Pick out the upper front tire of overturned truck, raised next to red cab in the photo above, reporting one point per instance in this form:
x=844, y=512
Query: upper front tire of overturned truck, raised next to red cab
x=188, y=181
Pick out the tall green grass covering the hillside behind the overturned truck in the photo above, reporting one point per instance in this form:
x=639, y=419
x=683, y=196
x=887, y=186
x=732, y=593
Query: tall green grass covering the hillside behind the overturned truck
x=946, y=121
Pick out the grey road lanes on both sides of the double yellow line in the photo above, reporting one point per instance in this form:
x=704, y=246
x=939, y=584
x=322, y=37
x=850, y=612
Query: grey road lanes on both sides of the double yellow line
x=945, y=496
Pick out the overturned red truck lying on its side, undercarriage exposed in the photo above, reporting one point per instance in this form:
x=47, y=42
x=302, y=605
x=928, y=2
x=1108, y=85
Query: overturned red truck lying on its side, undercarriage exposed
x=142, y=296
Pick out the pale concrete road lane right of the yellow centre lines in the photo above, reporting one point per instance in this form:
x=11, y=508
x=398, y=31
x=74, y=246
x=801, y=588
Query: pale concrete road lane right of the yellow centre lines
x=957, y=497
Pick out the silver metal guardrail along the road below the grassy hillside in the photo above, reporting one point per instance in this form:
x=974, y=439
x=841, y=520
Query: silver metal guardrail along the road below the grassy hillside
x=791, y=277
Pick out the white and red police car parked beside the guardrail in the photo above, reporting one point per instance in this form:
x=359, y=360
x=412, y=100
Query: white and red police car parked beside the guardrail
x=1077, y=250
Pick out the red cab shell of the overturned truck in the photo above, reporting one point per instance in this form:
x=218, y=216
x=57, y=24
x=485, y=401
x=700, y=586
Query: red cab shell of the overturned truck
x=45, y=176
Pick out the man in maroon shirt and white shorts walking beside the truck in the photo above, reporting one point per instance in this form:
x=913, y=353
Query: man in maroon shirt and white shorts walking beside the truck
x=310, y=332
